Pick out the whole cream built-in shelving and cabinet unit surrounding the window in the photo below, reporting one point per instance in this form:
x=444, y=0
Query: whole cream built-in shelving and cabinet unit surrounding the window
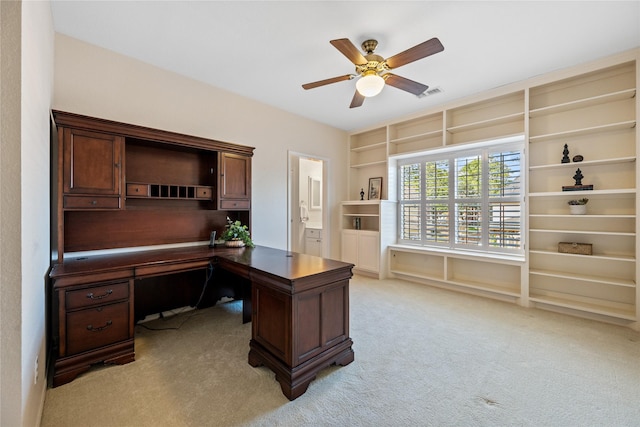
x=593, y=109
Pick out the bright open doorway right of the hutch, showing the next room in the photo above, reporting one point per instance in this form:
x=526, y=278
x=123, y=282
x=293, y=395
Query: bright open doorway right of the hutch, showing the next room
x=308, y=219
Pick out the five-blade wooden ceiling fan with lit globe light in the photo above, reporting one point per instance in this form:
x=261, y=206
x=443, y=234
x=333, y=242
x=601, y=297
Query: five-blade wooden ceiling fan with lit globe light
x=373, y=70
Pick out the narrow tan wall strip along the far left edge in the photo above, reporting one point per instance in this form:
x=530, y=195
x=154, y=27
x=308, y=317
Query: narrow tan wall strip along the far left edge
x=10, y=257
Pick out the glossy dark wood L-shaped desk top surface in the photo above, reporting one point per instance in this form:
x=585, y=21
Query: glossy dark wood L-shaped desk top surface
x=286, y=267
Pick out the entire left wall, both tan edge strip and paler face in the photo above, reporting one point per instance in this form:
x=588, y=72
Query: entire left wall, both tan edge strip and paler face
x=26, y=76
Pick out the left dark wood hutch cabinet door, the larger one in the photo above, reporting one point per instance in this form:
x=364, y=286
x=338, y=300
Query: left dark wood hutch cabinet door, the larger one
x=92, y=162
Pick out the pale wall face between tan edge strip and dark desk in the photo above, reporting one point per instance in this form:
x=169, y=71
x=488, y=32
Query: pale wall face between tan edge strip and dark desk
x=37, y=89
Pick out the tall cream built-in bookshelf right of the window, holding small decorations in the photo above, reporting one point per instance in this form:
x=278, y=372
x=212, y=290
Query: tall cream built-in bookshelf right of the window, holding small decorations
x=593, y=115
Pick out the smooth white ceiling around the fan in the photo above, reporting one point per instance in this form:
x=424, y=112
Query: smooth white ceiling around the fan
x=265, y=50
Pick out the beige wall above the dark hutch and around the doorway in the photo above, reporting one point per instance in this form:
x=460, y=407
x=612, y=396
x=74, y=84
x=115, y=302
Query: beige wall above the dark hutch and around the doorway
x=96, y=82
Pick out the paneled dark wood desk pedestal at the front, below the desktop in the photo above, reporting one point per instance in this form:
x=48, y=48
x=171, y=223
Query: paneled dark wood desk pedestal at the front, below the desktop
x=300, y=328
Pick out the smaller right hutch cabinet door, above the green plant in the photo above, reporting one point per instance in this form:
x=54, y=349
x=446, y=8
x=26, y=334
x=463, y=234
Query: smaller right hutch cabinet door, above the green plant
x=234, y=188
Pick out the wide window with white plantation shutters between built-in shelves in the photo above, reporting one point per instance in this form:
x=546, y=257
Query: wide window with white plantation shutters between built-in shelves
x=469, y=198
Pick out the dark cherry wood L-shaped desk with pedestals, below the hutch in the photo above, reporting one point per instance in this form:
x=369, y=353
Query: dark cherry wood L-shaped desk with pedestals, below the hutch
x=300, y=308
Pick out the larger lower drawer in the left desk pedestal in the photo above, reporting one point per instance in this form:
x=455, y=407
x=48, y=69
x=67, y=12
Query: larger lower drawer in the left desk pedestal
x=96, y=327
